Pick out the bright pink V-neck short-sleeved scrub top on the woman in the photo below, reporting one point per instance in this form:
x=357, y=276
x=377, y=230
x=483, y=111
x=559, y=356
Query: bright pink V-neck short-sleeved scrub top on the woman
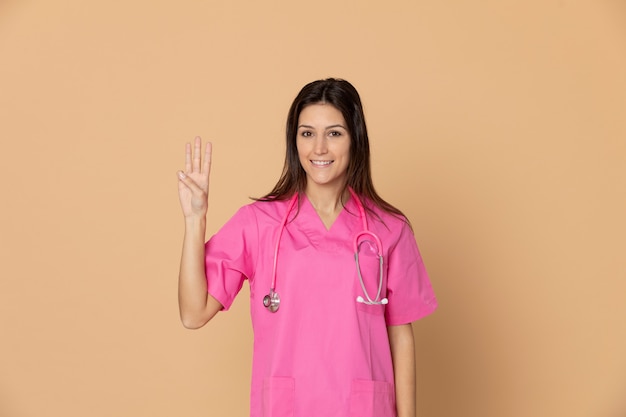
x=322, y=353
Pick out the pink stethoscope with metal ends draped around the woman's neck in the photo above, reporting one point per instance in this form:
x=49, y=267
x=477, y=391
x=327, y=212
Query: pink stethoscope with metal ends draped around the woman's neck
x=272, y=300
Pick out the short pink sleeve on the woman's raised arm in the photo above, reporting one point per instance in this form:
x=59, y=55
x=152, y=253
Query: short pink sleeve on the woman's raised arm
x=230, y=256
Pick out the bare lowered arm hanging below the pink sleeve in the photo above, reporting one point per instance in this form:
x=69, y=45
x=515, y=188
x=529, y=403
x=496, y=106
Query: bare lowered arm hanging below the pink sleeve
x=403, y=356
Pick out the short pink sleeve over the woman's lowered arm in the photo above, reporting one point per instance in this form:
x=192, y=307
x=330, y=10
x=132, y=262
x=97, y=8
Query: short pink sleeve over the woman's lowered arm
x=409, y=290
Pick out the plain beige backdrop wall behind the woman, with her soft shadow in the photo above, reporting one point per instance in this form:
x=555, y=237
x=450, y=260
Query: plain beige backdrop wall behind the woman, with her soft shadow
x=497, y=126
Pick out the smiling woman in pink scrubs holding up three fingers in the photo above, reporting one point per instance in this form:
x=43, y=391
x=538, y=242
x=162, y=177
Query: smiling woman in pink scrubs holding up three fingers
x=332, y=337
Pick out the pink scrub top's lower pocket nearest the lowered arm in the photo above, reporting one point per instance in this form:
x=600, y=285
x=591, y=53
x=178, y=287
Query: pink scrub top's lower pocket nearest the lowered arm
x=372, y=399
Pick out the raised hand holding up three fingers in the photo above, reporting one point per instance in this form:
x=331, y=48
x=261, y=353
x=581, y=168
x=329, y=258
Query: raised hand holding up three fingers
x=193, y=183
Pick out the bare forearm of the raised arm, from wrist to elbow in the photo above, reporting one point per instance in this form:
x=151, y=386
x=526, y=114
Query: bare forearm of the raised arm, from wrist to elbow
x=196, y=306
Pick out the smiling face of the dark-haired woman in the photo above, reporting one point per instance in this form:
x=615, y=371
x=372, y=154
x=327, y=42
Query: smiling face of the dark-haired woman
x=323, y=143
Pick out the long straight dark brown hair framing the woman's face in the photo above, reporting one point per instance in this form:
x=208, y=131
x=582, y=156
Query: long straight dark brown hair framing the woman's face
x=343, y=96
